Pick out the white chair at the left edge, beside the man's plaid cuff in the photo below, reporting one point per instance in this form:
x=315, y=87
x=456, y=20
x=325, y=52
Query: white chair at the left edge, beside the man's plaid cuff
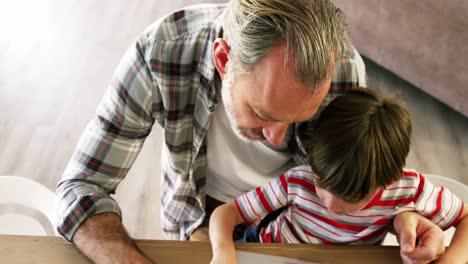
x=26, y=207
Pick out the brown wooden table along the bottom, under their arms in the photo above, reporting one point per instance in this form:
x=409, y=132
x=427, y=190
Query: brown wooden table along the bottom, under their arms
x=55, y=250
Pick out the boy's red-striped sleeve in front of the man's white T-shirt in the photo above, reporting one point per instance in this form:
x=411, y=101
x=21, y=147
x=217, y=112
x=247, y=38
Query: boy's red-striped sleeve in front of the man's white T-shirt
x=263, y=200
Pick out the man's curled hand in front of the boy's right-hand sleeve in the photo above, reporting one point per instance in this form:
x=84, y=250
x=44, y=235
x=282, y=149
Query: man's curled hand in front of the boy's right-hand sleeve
x=421, y=241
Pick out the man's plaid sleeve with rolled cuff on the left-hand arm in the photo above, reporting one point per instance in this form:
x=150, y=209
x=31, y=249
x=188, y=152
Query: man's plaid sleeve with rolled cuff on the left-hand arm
x=109, y=145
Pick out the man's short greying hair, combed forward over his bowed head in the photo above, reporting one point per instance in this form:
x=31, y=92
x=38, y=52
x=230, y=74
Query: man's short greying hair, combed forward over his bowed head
x=312, y=31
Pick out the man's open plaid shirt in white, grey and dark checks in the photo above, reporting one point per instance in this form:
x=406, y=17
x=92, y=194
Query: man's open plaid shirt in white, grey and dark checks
x=167, y=76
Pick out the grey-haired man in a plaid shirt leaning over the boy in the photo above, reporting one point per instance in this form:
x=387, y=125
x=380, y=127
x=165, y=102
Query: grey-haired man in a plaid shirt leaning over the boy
x=241, y=82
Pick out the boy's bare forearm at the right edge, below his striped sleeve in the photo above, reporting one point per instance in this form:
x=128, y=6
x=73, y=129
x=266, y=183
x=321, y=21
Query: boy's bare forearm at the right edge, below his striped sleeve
x=457, y=251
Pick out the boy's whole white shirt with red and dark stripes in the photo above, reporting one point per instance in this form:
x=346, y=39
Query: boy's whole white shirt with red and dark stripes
x=307, y=220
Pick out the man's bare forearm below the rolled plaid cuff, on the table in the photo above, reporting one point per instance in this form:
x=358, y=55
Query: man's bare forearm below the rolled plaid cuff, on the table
x=103, y=239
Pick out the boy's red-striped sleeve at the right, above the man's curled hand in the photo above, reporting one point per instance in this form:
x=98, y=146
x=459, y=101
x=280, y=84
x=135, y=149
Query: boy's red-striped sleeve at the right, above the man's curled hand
x=437, y=204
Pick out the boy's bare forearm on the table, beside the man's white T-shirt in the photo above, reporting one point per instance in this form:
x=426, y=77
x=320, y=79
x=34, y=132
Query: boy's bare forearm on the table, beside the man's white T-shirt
x=222, y=223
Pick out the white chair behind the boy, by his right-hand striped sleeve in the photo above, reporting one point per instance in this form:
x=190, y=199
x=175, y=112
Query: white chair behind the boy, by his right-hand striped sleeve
x=457, y=188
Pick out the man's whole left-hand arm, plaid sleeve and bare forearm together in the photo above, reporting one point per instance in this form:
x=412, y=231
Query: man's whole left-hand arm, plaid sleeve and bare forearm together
x=87, y=214
